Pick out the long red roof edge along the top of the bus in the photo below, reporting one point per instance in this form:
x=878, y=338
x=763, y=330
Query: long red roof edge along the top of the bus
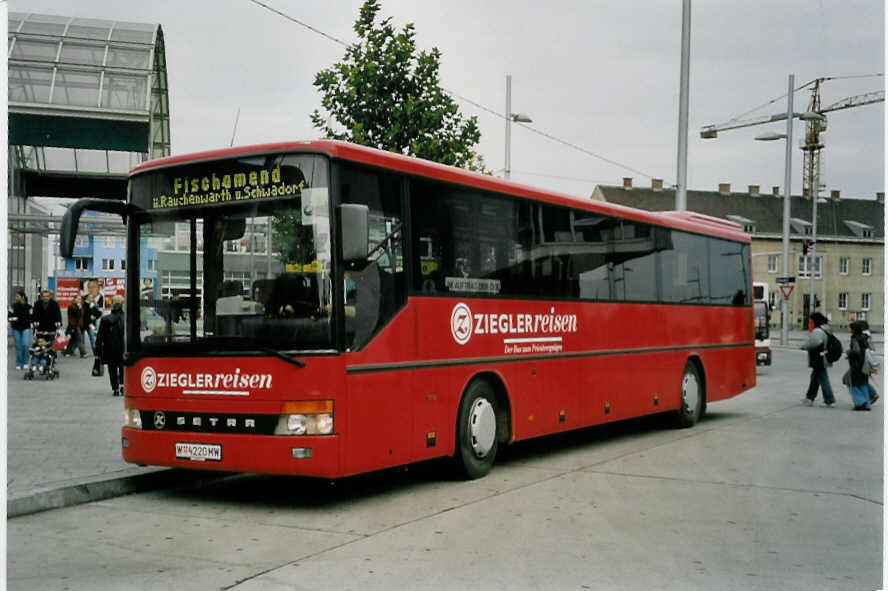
x=689, y=221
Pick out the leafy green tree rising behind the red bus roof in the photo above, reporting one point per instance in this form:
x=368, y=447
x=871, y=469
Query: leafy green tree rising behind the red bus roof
x=387, y=95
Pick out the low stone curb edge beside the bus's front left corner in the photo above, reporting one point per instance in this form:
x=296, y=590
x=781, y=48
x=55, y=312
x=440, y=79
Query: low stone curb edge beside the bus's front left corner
x=97, y=488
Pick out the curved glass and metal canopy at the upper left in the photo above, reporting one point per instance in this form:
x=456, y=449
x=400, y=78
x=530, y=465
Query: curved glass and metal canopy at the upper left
x=86, y=95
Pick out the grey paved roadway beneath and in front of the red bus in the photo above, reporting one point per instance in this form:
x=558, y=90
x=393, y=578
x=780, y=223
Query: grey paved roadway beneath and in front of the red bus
x=764, y=493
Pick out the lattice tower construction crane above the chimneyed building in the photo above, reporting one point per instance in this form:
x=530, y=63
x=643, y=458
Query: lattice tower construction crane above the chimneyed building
x=814, y=126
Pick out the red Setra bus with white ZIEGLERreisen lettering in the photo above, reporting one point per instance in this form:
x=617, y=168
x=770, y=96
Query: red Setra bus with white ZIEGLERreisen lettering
x=325, y=309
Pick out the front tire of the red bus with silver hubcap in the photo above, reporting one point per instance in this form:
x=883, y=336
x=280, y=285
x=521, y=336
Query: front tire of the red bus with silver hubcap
x=476, y=426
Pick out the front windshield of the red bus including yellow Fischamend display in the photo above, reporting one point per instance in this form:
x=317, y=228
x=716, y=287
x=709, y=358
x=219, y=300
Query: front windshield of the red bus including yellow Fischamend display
x=235, y=255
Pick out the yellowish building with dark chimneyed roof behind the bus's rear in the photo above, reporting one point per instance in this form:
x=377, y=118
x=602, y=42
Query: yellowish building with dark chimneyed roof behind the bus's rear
x=847, y=259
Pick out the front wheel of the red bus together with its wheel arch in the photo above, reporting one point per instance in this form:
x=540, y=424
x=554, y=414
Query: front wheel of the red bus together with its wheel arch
x=482, y=424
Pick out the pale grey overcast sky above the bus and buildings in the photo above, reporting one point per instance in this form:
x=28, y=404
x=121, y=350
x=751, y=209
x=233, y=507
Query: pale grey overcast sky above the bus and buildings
x=600, y=75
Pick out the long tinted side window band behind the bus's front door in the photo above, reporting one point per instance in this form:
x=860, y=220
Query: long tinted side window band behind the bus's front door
x=472, y=243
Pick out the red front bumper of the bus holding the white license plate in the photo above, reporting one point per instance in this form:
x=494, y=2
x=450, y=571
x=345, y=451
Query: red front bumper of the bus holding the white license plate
x=267, y=454
